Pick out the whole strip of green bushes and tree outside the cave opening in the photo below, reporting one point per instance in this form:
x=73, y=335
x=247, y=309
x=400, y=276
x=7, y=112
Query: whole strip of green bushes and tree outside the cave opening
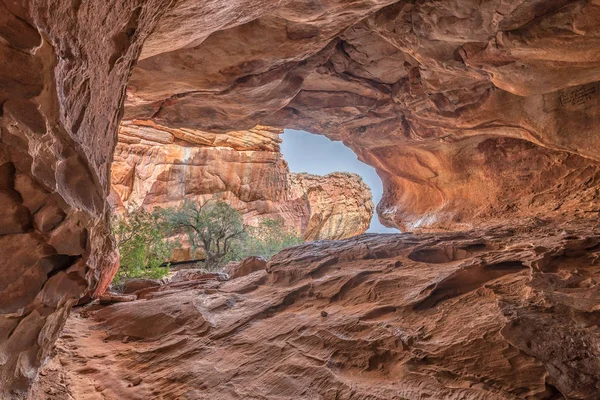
x=215, y=227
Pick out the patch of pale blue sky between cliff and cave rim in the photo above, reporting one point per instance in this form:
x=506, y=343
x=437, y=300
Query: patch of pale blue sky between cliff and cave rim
x=318, y=155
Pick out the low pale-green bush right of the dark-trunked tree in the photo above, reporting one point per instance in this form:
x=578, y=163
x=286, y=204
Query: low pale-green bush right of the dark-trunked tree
x=268, y=239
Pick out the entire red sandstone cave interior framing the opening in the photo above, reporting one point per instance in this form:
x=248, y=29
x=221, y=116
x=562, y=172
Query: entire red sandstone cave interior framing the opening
x=481, y=118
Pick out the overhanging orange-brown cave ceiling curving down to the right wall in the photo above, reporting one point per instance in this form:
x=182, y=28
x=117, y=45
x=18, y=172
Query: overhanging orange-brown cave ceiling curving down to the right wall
x=471, y=113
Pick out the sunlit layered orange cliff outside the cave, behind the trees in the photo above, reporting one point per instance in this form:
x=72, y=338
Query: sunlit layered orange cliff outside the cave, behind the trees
x=156, y=166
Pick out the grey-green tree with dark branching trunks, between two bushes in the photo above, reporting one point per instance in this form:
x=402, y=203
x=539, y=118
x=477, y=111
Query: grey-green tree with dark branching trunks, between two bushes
x=214, y=226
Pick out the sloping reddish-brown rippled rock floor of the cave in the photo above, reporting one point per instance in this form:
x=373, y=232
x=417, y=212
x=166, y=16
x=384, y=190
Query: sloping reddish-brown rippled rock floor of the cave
x=500, y=314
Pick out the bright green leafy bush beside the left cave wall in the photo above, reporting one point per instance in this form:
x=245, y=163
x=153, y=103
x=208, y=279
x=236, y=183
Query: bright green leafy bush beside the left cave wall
x=142, y=245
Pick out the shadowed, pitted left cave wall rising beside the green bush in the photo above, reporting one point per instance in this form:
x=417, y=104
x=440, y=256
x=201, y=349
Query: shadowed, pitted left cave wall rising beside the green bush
x=61, y=102
